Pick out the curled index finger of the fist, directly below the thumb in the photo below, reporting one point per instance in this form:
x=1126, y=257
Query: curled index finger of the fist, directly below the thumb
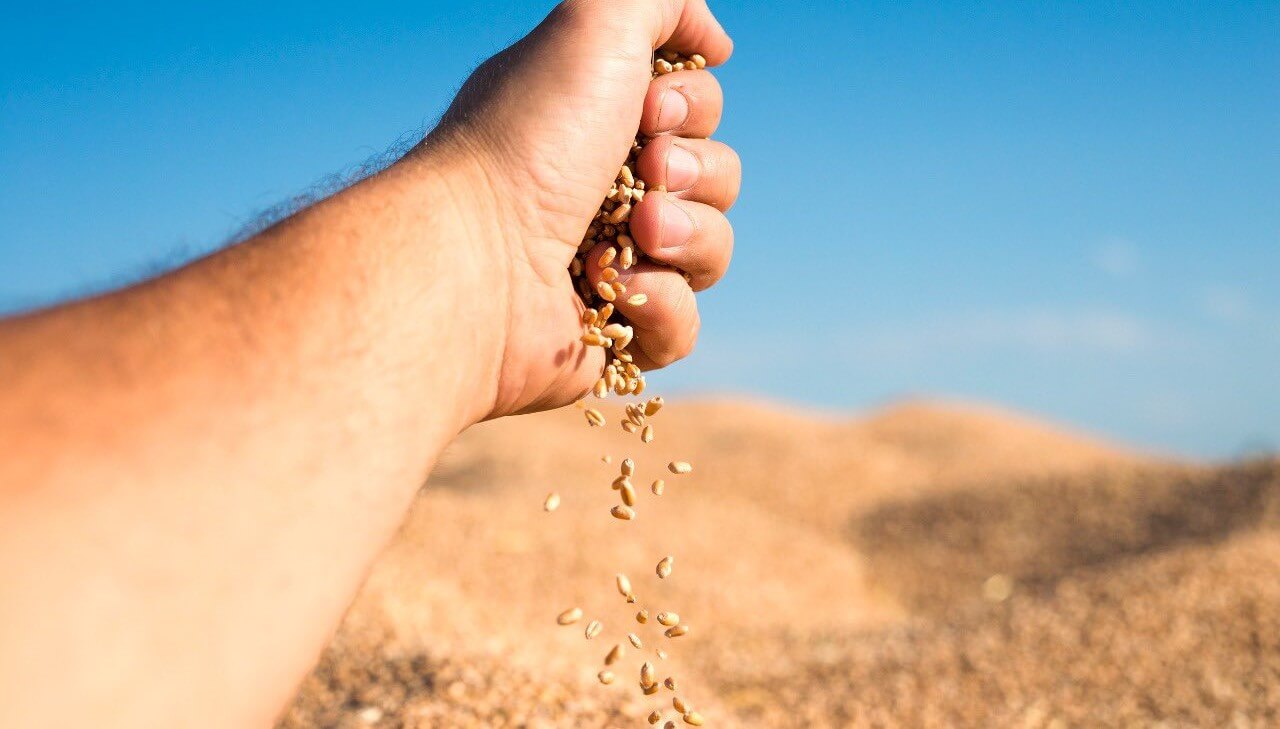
x=685, y=104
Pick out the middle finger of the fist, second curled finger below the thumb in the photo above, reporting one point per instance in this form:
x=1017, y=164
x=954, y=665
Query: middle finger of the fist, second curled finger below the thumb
x=700, y=171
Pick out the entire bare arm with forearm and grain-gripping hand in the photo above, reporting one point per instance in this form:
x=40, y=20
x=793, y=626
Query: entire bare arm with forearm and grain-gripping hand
x=199, y=470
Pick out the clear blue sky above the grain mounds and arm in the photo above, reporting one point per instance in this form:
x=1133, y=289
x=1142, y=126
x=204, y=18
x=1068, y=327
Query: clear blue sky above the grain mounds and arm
x=1071, y=209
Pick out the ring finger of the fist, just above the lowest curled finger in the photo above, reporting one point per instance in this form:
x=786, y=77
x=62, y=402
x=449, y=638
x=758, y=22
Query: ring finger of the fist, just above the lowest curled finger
x=693, y=237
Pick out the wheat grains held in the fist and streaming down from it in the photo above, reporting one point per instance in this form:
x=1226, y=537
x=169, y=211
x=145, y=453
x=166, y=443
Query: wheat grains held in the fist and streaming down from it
x=623, y=377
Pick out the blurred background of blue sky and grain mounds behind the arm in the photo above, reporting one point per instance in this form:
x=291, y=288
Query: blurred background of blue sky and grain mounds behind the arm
x=953, y=213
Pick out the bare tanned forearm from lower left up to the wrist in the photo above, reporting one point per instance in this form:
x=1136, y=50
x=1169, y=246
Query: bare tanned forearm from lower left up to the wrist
x=299, y=387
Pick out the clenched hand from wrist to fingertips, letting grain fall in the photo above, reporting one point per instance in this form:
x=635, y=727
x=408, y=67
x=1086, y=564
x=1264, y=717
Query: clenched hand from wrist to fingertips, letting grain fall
x=545, y=127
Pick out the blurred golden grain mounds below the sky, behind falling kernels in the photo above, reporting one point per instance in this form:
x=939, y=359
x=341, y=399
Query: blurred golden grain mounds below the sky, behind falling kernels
x=845, y=565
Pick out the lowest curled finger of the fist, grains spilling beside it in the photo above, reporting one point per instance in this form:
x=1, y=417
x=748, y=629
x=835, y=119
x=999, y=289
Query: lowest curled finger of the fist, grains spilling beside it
x=666, y=324
